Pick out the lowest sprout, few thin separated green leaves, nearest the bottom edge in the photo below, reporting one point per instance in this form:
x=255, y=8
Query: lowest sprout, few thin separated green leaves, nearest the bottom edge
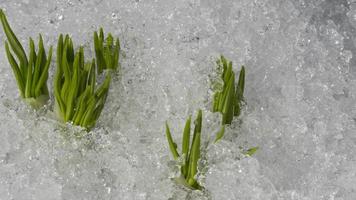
x=190, y=155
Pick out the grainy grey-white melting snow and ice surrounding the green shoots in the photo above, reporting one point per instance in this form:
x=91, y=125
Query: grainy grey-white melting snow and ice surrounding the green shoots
x=301, y=94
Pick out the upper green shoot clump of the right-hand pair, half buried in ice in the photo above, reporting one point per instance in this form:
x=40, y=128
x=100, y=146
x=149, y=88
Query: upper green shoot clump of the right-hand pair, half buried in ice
x=228, y=101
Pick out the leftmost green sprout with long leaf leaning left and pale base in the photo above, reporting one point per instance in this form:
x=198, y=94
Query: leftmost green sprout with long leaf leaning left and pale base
x=31, y=74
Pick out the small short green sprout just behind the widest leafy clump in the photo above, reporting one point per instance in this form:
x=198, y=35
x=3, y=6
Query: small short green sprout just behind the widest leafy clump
x=106, y=51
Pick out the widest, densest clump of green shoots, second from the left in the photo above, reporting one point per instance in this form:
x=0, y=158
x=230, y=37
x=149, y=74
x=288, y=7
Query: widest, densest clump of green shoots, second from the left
x=77, y=100
